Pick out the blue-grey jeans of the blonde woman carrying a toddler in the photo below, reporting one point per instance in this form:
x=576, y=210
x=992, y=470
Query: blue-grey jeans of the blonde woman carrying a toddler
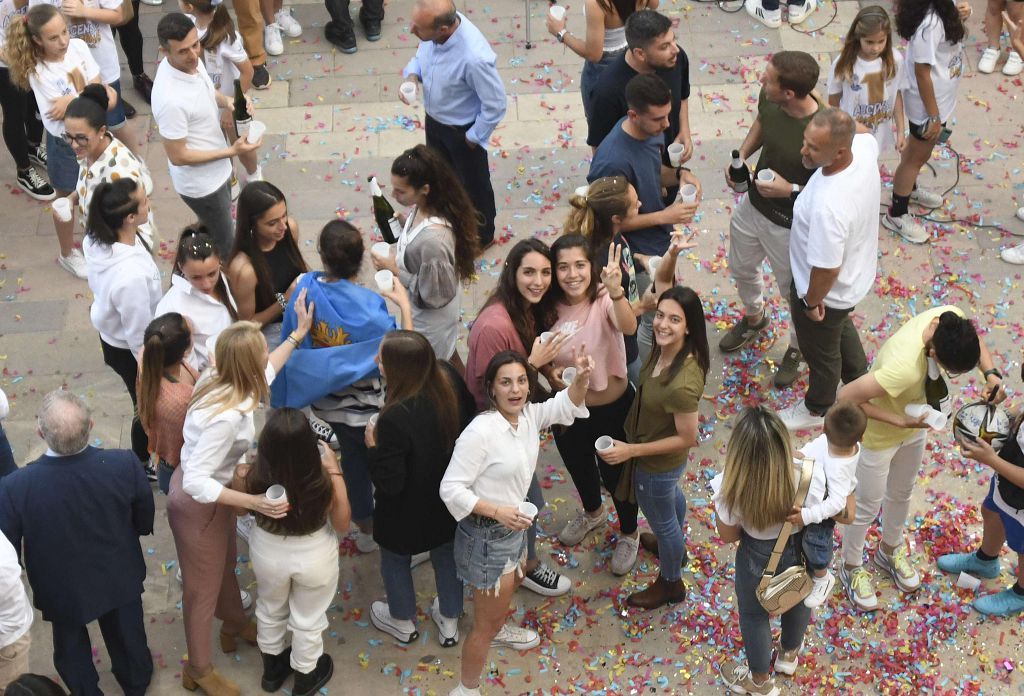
x=755, y=625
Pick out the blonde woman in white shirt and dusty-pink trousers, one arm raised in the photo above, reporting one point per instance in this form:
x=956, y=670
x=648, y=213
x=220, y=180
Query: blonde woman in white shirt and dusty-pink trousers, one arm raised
x=219, y=430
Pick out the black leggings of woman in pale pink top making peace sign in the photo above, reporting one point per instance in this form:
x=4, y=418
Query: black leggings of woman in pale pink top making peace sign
x=576, y=445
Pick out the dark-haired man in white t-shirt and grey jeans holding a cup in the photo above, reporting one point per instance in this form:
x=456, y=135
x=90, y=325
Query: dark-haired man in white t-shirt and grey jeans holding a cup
x=186, y=107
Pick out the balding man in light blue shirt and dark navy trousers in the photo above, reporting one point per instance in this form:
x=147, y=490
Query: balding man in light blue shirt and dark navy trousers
x=463, y=97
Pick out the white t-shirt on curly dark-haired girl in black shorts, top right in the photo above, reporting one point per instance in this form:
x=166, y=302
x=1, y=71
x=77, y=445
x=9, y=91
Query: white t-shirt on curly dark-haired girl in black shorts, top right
x=929, y=46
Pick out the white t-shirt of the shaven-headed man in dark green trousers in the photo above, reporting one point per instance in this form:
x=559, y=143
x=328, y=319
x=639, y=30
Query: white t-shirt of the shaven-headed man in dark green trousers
x=836, y=226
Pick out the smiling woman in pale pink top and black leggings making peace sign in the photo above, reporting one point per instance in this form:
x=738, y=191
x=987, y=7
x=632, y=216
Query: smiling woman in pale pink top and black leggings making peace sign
x=594, y=312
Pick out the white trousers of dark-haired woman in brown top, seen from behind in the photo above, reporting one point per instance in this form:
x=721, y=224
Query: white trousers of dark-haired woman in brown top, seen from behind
x=296, y=580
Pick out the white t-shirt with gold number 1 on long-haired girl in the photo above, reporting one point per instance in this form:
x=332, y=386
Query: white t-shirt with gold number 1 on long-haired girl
x=870, y=98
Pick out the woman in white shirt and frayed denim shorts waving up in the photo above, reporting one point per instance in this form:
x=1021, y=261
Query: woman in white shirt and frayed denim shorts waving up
x=487, y=481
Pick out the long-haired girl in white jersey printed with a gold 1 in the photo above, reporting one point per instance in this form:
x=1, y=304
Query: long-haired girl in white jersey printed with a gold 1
x=865, y=80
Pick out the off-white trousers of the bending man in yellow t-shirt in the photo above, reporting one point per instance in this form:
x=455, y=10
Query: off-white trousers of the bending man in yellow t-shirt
x=885, y=481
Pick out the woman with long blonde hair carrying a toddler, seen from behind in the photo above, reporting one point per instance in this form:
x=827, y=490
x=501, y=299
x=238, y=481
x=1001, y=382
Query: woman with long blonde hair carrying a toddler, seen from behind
x=753, y=497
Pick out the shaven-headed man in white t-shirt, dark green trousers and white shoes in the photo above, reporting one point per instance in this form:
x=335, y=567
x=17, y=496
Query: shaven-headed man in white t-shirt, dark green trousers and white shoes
x=833, y=254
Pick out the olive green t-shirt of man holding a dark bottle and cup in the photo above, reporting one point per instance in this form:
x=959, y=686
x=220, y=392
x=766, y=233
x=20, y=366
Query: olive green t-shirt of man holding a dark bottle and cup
x=783, y=138
